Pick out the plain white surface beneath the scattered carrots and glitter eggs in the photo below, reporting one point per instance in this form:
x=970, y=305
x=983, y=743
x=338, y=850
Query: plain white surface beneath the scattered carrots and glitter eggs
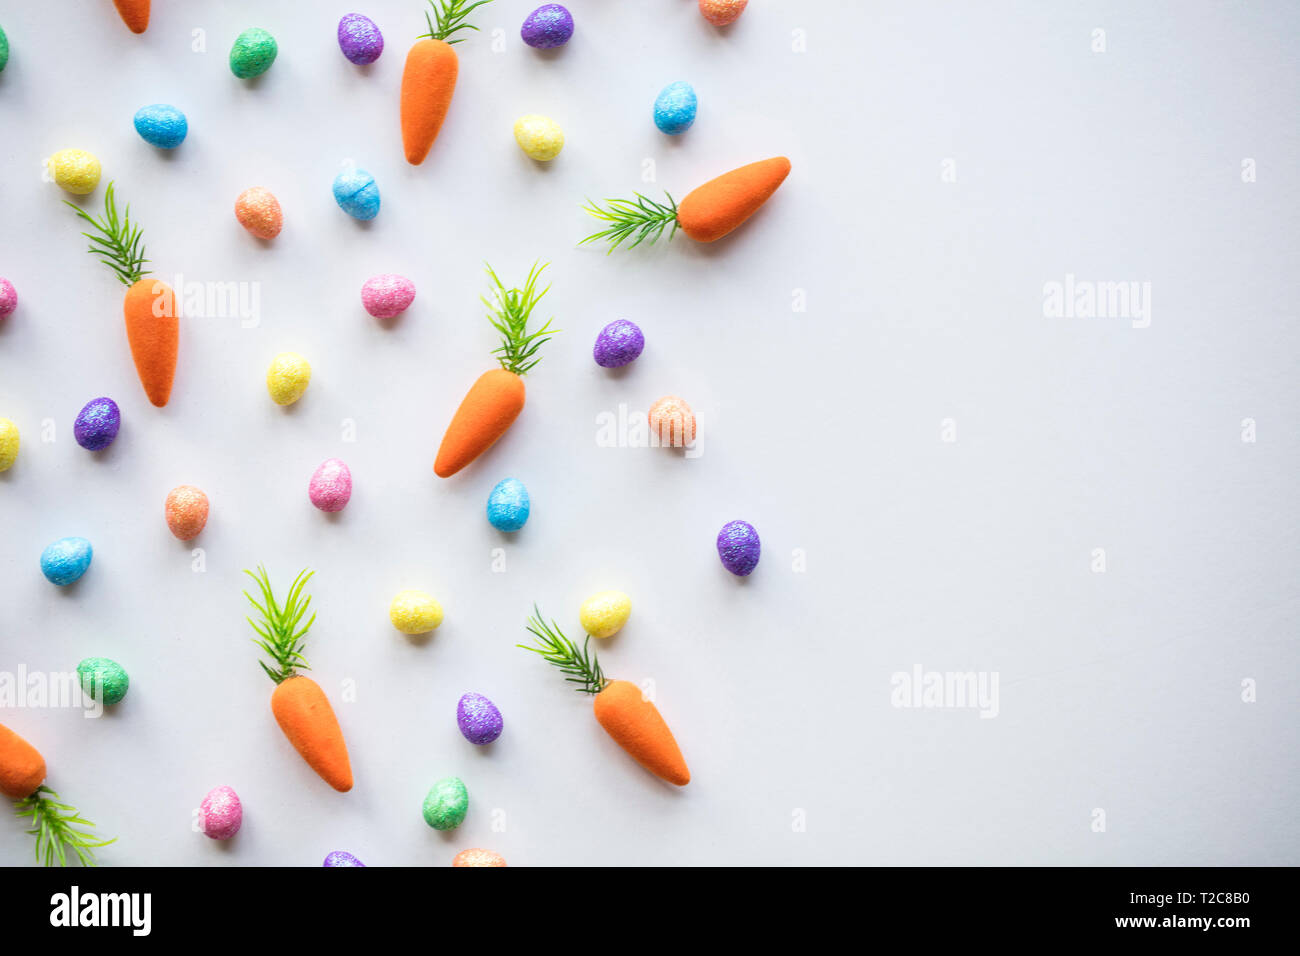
x=1119, y=691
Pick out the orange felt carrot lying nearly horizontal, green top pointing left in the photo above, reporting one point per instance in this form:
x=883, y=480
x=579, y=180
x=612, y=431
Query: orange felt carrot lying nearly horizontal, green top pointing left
x=707, y=214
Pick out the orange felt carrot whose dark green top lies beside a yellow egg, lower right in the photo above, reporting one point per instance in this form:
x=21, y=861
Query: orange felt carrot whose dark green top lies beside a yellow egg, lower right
x=621, y=707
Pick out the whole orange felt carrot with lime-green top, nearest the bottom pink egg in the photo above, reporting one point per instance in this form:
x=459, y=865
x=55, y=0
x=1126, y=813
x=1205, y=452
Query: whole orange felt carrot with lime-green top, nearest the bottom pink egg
x=300, y=704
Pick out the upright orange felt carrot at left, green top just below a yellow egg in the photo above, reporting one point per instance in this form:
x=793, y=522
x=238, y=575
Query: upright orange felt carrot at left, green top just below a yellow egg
x=153, y=327
